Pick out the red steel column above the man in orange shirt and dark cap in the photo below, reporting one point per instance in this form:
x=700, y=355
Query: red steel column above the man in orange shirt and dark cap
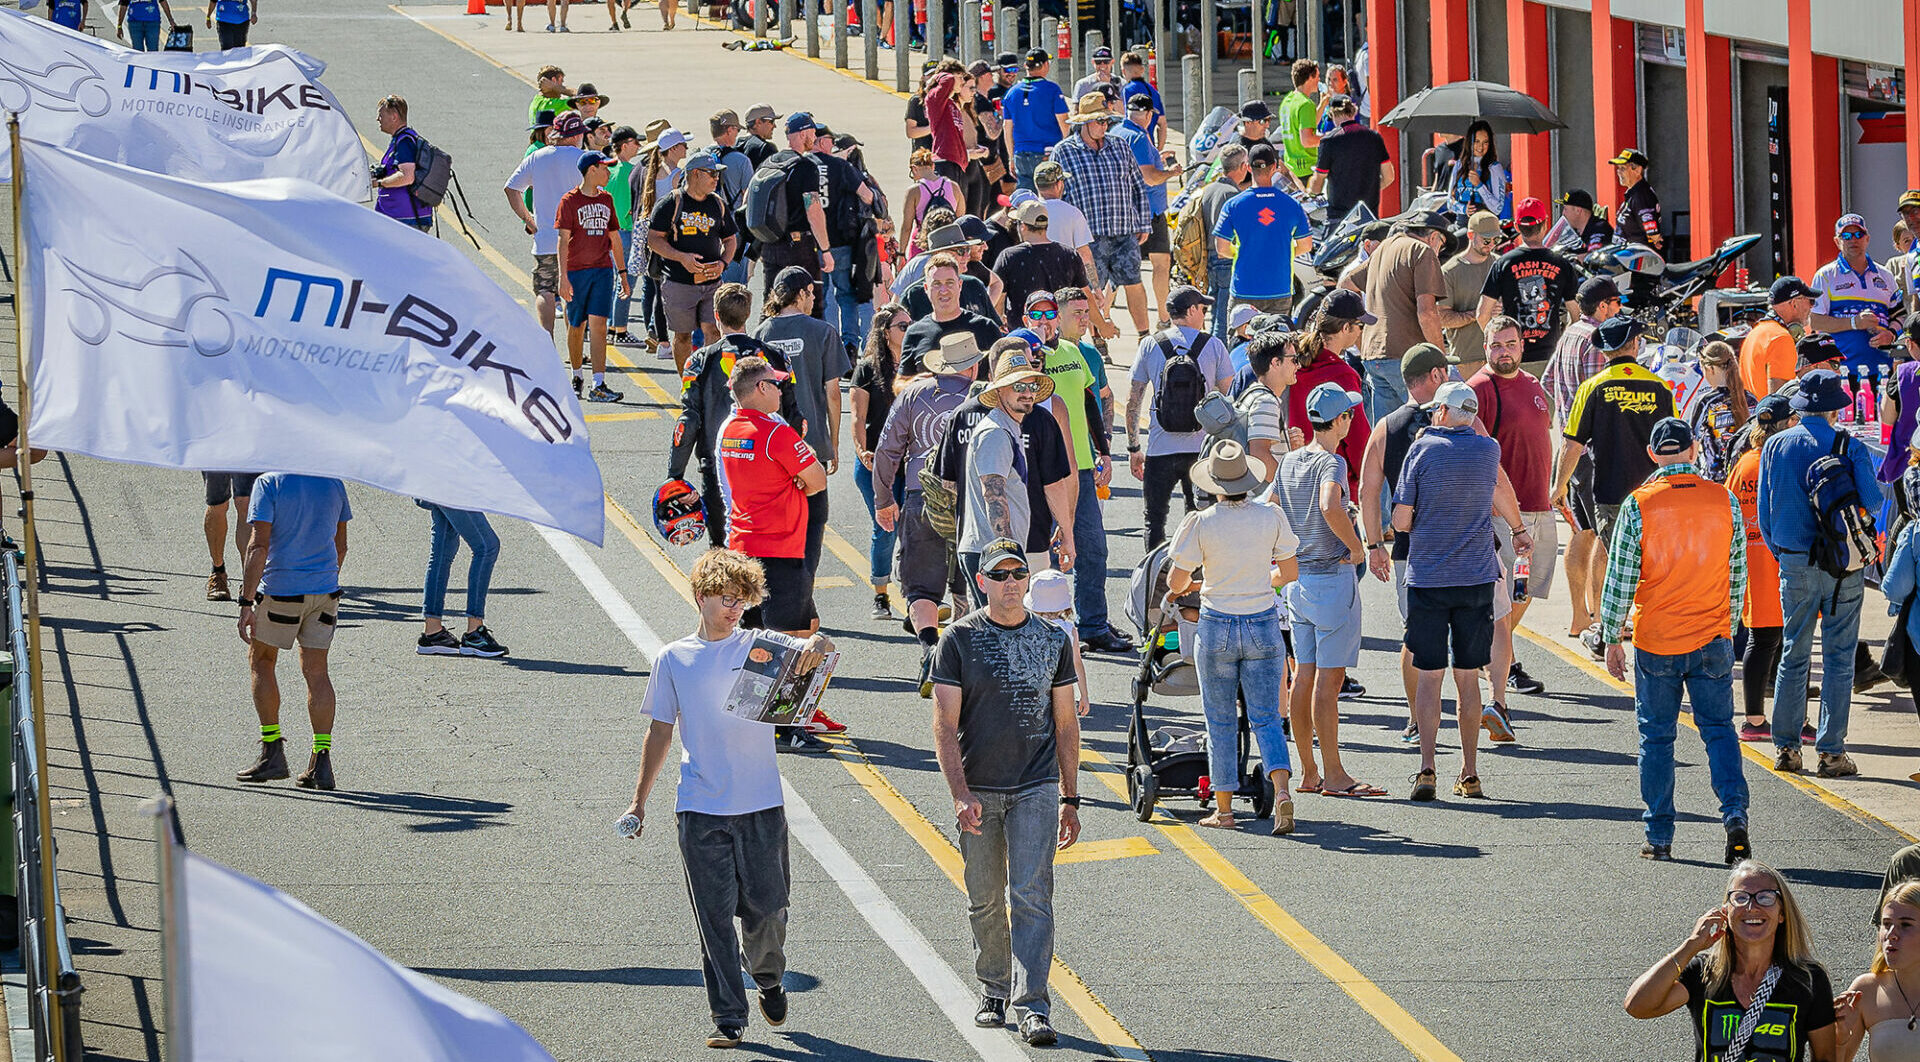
x=1813, y=126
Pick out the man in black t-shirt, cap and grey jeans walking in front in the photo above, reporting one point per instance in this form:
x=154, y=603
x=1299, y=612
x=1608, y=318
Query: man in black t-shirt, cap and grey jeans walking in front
x=1009, y=744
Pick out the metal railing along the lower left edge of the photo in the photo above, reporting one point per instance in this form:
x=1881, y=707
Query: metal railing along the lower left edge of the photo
x=43, y=923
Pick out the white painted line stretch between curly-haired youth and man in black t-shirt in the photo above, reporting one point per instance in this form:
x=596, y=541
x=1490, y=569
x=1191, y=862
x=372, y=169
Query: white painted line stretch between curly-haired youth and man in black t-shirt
x=953, y=996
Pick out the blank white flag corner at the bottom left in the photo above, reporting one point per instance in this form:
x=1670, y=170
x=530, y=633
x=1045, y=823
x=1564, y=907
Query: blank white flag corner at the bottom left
x=270, y=978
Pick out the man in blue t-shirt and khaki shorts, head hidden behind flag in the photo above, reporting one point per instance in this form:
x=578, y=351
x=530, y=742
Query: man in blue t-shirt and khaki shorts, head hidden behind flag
x=291, y=594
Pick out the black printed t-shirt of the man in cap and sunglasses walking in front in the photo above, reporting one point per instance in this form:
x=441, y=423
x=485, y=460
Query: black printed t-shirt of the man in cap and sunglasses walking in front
x=1007, y=677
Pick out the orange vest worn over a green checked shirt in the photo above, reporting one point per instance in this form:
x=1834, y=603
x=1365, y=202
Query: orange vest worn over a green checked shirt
x=1687, y=529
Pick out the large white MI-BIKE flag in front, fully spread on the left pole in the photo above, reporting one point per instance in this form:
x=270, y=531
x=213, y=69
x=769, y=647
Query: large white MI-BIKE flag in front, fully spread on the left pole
x=272, y=326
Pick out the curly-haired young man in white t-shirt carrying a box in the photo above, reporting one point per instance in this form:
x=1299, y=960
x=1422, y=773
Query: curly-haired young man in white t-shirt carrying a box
x=732, y=815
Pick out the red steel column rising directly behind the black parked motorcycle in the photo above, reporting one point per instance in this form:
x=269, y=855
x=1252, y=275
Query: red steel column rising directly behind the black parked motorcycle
x=1710, y=126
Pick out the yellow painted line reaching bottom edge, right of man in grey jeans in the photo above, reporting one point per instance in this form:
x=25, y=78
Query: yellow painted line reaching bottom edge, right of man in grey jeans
x=1370, y=998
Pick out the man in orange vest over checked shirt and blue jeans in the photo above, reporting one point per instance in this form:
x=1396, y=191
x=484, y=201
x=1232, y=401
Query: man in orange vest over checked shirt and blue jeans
x=1679, y=560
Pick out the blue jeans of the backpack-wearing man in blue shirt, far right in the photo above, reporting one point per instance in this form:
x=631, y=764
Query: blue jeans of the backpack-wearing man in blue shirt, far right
x=1810, y=594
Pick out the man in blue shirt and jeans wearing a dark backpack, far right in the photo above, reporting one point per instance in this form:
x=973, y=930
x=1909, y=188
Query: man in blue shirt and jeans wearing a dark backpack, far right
x=1808, y=592
